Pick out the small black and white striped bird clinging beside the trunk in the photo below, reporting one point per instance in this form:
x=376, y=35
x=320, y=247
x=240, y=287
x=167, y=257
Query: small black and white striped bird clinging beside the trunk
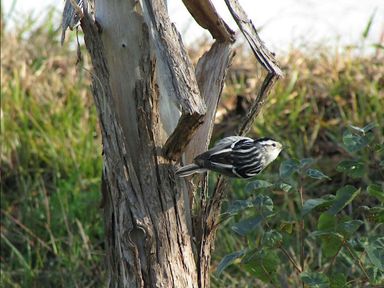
x=235, y=156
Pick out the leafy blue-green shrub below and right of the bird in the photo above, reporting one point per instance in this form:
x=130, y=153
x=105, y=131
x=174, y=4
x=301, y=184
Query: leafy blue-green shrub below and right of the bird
x=320, y=239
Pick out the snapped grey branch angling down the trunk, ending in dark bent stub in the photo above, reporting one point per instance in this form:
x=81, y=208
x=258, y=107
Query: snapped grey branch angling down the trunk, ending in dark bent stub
x=178, y=76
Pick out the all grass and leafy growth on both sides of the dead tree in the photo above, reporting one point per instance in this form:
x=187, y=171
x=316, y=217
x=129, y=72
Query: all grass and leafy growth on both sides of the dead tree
x=51, y=223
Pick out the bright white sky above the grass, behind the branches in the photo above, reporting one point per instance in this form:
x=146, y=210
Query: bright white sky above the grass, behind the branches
x=282, y=23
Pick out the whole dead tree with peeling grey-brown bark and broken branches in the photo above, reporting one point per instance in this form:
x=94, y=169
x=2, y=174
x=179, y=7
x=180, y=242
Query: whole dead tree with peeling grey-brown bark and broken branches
x=154, y=107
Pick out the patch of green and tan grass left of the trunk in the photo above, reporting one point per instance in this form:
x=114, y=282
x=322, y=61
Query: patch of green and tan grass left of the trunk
x=50, y=162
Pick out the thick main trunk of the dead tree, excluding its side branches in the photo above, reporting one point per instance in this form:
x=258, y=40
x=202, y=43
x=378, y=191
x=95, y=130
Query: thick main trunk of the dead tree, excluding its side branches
x=148, y=241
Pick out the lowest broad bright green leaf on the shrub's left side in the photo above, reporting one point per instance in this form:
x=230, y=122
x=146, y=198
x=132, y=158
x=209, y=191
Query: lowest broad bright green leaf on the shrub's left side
x=262, y=264
